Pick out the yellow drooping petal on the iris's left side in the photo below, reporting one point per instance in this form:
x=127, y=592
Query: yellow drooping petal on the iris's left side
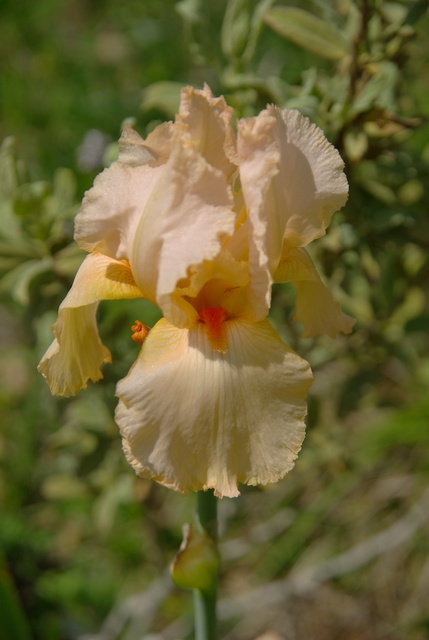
x=77, y=353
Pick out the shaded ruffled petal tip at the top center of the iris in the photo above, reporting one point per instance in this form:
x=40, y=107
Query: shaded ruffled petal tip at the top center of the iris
x=208, y=122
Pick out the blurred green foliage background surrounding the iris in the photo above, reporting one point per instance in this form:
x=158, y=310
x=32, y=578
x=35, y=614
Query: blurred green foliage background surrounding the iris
x=339, y=548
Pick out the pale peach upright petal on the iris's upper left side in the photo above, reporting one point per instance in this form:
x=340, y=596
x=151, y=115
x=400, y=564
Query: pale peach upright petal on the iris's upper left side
x=112, y=208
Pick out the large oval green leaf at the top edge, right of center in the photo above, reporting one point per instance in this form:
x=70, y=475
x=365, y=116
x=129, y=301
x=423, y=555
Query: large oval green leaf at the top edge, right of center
x=308, y=31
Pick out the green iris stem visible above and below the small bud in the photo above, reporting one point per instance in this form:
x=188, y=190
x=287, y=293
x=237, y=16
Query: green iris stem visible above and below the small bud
x=205, y=601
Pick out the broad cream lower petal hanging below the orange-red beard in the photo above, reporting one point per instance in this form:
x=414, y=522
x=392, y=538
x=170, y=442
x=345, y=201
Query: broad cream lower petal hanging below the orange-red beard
x=193, y=418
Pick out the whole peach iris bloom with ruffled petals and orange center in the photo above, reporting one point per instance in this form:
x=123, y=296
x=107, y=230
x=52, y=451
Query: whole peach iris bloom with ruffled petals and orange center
x=202, y=222
